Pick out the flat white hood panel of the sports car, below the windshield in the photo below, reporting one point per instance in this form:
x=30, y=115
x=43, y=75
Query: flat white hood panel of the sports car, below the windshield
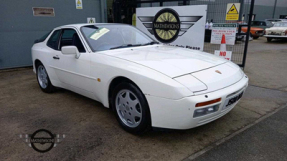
x=169, y=60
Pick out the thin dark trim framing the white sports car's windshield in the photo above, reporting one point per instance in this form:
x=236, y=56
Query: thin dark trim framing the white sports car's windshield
x=111, y=24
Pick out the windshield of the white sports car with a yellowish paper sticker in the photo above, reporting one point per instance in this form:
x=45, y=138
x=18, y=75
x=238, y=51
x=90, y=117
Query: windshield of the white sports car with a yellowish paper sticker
x=106, y=37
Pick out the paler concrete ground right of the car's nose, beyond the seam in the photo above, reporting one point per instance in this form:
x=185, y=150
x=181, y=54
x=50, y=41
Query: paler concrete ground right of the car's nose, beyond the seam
x=266, y=64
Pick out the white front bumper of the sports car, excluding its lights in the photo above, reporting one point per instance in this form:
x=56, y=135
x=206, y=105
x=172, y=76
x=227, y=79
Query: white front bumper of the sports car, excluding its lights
x=178, y=114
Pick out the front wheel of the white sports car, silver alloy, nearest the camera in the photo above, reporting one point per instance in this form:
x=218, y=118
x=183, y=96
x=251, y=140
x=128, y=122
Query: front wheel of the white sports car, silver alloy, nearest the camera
x=131, y=108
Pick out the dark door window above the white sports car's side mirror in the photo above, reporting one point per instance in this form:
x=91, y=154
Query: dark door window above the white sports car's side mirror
x=71, y=38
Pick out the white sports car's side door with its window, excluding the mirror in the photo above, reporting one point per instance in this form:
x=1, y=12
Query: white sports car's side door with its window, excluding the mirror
x=73, y=72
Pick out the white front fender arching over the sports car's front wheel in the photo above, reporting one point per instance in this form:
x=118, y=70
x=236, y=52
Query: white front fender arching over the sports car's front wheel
x=148, y=80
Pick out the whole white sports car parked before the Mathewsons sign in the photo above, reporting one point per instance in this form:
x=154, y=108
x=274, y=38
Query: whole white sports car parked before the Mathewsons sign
x=145, y=83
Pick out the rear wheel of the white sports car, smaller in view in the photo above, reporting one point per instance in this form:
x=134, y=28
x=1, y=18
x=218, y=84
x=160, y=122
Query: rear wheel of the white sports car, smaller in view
x=43, y=79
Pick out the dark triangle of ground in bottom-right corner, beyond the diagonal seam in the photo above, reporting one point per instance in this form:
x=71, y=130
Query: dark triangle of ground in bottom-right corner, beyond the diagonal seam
x=264, y=141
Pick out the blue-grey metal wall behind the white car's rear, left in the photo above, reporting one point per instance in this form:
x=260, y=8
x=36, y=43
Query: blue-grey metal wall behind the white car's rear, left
x=19, y=28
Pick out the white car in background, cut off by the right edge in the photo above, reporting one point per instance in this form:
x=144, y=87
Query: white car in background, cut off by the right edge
x=278, y=31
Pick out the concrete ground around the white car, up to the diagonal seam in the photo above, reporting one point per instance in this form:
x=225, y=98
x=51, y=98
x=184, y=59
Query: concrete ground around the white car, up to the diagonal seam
x=94, y=134
